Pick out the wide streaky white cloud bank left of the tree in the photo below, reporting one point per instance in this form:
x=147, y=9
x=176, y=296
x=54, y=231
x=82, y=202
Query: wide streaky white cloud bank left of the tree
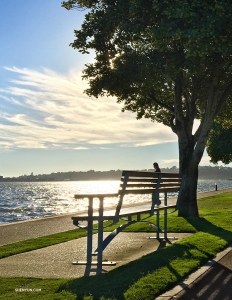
x=46, y=109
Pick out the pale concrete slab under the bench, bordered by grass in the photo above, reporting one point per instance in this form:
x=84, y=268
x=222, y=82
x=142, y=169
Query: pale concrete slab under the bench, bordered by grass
x=56, y=261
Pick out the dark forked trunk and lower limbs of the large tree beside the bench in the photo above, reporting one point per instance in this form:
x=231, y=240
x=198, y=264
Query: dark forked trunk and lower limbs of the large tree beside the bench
x=191, y=147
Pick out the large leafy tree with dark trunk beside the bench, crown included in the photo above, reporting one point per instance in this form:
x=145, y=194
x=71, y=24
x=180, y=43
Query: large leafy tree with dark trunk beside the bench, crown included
x=168, y=60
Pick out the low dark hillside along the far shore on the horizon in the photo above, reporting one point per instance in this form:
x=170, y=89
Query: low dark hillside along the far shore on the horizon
x=205, y=172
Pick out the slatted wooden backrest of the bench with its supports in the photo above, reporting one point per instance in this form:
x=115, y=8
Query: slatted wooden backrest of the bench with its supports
x=138, y=182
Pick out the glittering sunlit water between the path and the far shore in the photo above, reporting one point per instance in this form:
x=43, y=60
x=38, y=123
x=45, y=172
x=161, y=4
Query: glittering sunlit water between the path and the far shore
x=25, y=200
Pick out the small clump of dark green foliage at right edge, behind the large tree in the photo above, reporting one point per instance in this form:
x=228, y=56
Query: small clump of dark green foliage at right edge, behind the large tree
x=219, y=145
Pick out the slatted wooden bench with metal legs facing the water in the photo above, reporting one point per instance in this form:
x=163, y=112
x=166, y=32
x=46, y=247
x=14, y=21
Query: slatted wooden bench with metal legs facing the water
x=132, y=183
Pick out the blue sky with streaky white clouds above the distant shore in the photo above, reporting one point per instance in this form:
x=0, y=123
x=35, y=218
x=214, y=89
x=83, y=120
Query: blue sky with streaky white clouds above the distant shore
x=47, y=123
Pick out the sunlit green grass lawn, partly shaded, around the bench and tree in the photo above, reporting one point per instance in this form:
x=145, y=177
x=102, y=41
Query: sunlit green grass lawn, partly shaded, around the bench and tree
x=145, y=278
